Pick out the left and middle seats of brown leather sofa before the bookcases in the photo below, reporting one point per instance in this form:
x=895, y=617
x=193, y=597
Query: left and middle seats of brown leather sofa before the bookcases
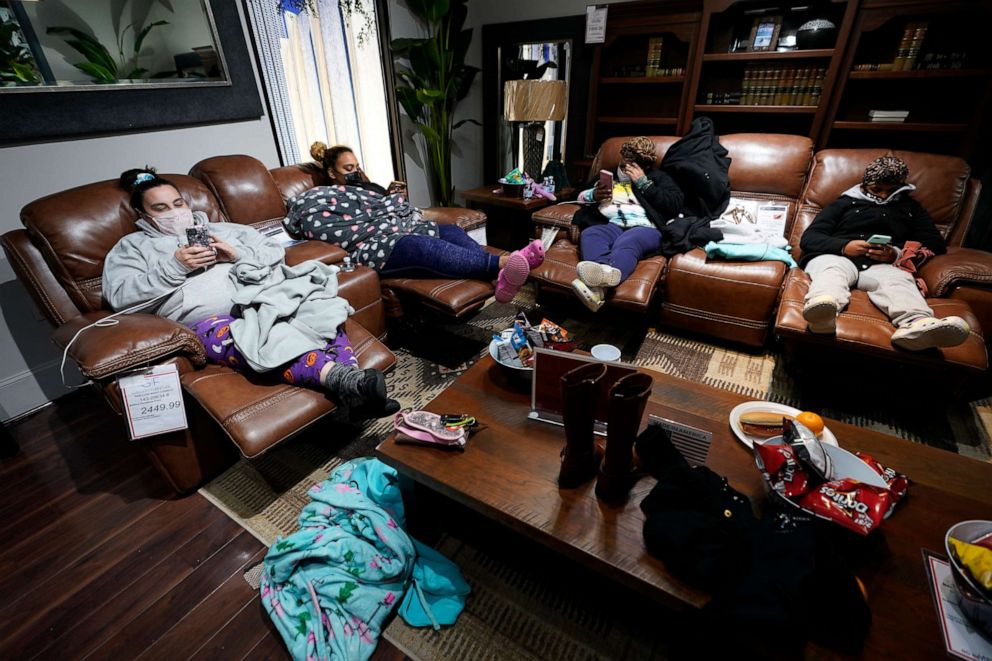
x=731, y=300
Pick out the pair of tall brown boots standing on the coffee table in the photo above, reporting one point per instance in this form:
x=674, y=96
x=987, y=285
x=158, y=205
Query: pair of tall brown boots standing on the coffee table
x=616, y=470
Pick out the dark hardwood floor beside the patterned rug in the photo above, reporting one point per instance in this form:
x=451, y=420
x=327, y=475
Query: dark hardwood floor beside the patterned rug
x=102, y=561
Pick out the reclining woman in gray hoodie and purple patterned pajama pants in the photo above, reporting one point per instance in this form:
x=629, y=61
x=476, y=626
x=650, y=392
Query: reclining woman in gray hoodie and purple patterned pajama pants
x=210, y=277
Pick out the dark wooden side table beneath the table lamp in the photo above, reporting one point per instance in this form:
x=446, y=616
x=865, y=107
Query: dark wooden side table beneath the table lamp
x=508, y=224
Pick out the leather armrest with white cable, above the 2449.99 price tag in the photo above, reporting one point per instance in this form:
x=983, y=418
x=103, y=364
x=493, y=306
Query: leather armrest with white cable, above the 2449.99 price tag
x=136, y=340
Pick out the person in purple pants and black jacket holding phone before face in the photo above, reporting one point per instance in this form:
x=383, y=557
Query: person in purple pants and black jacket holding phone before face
x=626, y=226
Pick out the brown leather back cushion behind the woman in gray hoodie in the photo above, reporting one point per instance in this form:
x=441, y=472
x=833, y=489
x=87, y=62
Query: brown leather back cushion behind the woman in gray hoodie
x=75, y=229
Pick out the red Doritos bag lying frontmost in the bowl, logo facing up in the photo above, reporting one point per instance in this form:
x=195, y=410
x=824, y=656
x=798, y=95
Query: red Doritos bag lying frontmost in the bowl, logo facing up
x=852, y=504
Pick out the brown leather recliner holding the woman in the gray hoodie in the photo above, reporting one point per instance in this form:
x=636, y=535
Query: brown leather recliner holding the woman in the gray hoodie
x=59, y=258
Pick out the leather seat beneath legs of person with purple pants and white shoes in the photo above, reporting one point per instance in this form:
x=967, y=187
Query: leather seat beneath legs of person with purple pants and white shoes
x=634, y=293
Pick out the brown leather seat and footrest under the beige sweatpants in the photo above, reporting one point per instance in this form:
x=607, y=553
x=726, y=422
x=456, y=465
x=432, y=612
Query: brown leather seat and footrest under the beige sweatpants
x=862, y=327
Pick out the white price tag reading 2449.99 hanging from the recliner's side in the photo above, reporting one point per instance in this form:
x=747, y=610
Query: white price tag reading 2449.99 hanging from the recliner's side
x=153, y=401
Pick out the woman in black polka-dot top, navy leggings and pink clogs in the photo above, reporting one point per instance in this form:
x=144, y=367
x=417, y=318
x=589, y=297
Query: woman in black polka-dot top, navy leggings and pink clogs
x=379, y=228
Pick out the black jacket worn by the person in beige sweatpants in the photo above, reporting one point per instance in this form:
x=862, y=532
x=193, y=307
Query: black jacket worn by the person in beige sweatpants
x=849, y=219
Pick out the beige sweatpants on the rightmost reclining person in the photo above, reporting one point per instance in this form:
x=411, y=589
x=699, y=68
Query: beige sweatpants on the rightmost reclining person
x=892, y=290
